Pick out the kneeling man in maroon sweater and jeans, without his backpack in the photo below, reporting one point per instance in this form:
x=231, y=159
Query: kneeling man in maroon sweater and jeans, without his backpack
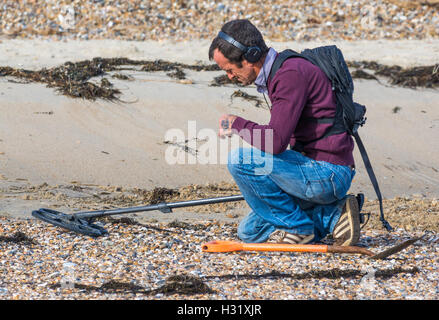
x=303, y=197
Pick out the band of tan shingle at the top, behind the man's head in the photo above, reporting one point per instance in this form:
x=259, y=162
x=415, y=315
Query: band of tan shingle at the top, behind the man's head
x=278, y=20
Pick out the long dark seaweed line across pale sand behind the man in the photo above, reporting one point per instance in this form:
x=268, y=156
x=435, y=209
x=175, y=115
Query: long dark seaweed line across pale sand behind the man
x=73, y=78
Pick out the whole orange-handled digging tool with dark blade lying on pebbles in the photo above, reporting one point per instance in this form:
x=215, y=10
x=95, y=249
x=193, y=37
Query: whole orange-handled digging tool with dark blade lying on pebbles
x=229, y=246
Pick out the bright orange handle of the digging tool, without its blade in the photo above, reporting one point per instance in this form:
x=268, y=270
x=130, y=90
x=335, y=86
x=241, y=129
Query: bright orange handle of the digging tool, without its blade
x=228, y=246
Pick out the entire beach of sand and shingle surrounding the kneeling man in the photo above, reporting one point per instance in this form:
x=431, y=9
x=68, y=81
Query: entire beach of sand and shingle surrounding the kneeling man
x=76, y=154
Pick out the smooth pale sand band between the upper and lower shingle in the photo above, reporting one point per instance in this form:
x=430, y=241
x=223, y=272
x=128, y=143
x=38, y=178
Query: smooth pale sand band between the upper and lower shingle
x=122, y=143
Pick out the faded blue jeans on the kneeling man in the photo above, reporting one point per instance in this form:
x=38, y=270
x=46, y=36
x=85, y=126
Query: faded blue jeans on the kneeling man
x=288, y=191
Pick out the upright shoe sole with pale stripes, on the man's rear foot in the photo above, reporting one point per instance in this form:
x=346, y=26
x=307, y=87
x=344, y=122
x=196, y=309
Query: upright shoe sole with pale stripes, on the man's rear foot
x=347, y=230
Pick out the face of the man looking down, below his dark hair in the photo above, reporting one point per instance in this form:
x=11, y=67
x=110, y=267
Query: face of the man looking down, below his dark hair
x=245, y=75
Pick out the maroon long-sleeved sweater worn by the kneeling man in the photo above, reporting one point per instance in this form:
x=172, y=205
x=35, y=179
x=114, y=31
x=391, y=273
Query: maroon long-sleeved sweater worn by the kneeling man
x=299, y=91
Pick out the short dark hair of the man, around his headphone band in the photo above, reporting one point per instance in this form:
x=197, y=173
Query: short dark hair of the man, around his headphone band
x=242, y=31
